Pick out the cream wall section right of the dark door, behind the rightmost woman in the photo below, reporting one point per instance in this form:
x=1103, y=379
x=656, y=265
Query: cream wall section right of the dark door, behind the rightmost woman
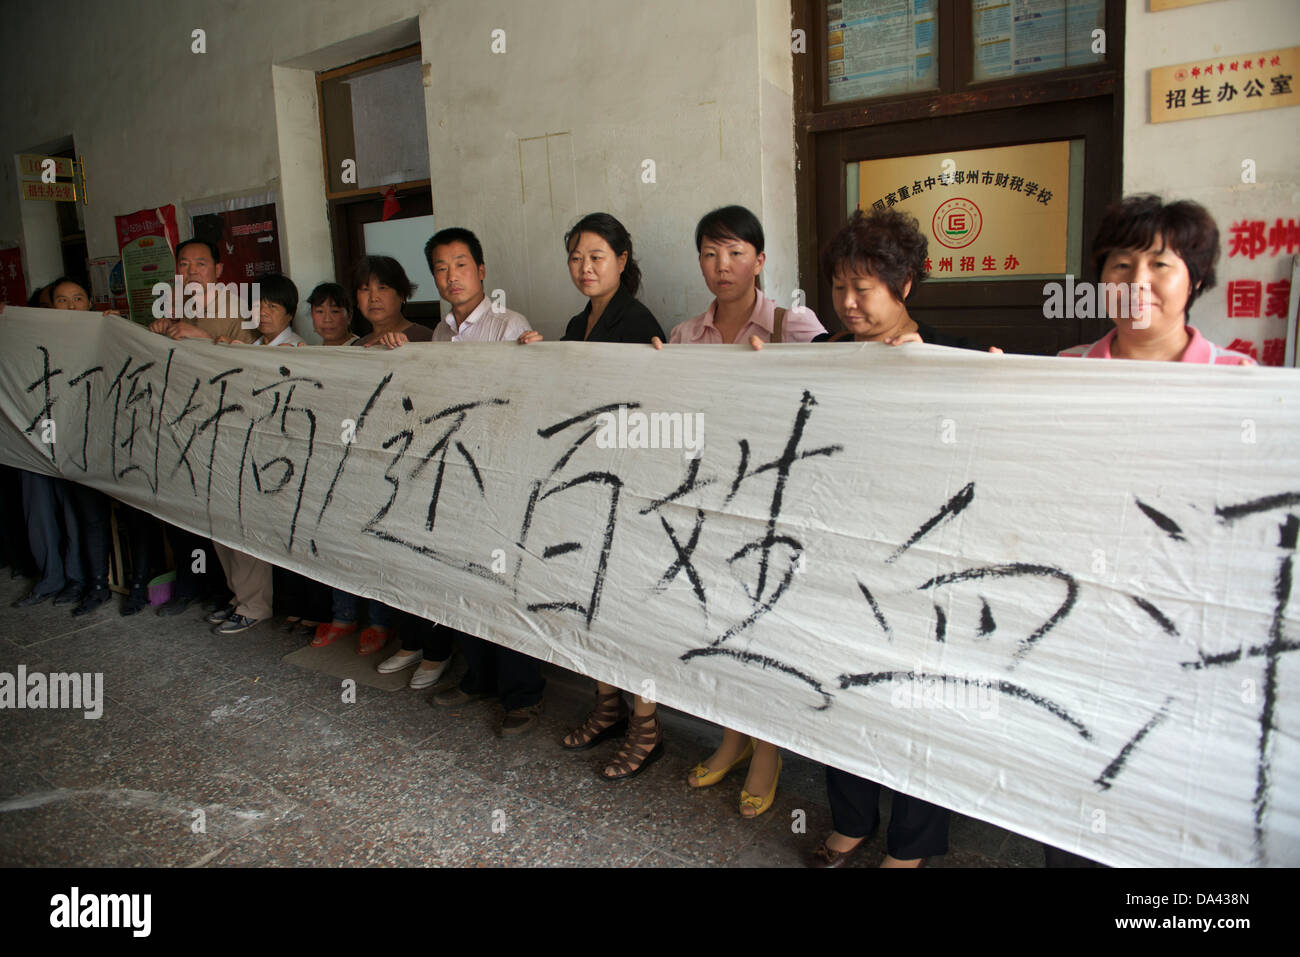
x=1202, y=159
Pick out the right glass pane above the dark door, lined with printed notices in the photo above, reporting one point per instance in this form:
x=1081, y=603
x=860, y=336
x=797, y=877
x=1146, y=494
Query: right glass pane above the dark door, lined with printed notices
x=1012, y=38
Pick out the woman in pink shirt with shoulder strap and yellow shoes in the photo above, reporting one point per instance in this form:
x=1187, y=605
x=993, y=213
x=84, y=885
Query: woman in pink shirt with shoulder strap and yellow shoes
x=730, y=243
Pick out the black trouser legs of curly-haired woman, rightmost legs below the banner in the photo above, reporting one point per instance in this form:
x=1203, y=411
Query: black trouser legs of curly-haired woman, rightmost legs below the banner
x=917, y=829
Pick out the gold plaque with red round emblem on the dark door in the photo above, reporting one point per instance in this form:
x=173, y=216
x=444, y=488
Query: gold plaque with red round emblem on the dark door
x=989, y=214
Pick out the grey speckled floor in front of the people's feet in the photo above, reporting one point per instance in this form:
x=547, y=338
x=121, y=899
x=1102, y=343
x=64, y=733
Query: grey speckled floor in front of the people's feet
x=214, y=752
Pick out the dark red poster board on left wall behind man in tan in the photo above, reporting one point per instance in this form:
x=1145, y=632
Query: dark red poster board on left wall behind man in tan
x=245, y=228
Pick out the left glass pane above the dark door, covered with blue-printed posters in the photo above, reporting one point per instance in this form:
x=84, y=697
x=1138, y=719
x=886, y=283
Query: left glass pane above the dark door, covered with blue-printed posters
x=881, y=49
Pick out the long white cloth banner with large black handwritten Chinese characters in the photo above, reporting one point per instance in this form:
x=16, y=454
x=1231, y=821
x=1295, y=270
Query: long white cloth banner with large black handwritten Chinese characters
x=1050, y=594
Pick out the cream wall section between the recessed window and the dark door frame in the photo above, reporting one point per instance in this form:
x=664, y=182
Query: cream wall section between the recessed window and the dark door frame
x=562, y=124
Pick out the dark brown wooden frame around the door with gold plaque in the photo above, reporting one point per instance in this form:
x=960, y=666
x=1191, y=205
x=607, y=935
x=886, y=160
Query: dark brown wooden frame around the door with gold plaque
x=978, y=115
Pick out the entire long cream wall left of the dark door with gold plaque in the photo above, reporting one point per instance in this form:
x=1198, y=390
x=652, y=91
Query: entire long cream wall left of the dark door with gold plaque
x=700, y=89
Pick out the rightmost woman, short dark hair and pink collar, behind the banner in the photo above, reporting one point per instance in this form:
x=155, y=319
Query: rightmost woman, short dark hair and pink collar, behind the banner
x=1164, y=258
